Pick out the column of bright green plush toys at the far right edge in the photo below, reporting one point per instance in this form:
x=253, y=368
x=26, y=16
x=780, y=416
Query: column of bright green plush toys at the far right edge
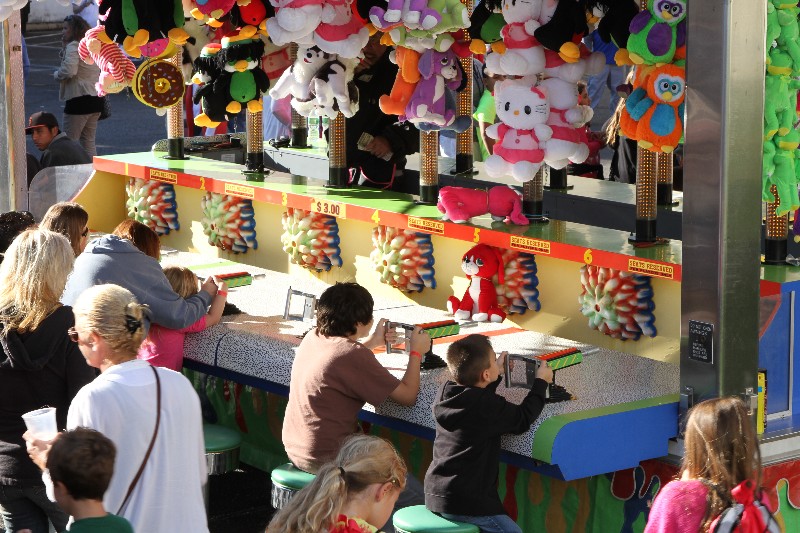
x=781, y=139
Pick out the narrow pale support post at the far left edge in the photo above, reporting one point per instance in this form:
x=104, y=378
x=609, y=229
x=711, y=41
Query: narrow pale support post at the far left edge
x=13, y=175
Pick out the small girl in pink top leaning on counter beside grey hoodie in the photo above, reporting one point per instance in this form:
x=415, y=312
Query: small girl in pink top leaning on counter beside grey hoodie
x=164, y=346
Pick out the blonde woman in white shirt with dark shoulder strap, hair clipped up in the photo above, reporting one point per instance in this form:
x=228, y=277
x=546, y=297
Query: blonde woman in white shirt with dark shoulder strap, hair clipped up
x=123, y=404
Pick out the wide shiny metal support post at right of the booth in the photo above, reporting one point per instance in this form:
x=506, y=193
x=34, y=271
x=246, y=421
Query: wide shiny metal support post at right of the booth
x=722, y=199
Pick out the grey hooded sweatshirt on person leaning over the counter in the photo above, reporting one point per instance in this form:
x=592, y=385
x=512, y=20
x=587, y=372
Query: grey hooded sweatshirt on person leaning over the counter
x=111, y=259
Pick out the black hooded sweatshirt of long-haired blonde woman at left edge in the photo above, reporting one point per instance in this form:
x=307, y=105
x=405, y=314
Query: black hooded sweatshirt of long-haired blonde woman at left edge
x=37, y=369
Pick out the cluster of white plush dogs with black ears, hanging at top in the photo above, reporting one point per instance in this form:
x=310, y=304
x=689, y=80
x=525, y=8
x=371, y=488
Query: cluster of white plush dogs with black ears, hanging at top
x=320, y=83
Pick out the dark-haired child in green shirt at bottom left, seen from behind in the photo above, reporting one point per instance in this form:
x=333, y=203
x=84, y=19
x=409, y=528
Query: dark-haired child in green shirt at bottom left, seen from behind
x=81, y=463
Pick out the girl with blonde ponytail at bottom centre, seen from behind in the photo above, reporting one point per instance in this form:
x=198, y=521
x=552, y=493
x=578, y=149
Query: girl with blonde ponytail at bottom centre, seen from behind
x=355, y=493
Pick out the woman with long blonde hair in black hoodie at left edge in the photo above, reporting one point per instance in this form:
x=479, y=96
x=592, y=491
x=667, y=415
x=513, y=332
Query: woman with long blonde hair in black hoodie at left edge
x=39, y=366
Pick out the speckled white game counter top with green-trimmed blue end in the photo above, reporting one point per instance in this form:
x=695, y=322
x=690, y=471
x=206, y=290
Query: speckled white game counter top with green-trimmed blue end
x=626, y=403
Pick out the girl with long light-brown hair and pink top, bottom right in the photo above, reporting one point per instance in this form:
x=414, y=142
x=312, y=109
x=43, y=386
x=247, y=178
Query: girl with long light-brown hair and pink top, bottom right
x=721, y=451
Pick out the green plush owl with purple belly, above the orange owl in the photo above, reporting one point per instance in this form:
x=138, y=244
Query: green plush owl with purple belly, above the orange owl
x=657, y=32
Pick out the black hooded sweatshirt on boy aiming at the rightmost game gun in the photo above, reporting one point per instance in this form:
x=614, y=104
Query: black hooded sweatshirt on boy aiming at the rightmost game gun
x=462, y=478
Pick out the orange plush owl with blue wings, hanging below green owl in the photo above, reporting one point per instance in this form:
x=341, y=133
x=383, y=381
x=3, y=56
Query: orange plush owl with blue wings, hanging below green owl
x=657, y=109
